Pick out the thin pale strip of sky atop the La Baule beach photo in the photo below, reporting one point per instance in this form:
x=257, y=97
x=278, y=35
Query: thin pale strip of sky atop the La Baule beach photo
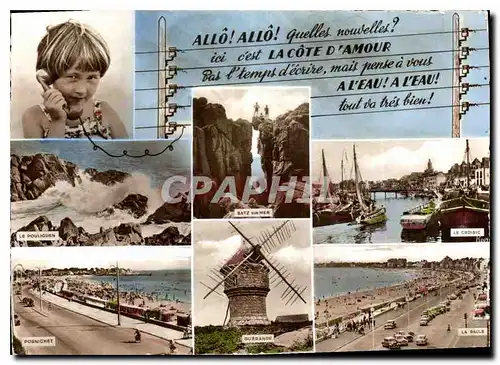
x=412, y=252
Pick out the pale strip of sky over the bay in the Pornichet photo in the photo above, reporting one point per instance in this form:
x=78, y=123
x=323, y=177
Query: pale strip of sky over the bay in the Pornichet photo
x=131, y=257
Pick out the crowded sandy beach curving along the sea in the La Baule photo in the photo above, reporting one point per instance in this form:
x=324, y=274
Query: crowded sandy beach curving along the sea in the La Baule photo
x=347, y=304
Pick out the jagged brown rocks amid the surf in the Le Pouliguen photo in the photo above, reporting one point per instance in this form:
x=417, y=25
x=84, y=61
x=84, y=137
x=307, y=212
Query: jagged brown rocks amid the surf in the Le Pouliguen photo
x=31, y=176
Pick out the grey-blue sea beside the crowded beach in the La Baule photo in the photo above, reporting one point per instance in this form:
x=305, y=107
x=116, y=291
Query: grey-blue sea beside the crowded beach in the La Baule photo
x=335, y=281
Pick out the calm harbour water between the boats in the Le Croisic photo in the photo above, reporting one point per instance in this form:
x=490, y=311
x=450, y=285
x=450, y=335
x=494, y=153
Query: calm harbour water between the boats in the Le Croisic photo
x=388, y=232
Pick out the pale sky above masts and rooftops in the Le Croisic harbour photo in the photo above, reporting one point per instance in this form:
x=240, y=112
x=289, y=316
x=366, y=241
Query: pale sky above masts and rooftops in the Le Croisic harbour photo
x=380, y=160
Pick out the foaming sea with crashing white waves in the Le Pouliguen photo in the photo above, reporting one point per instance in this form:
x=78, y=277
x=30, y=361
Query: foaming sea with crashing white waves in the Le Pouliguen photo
x=84, y=202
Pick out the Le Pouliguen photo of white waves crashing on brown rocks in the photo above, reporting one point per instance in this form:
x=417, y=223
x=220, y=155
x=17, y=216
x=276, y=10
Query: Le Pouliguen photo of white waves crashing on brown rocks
x=68, y=193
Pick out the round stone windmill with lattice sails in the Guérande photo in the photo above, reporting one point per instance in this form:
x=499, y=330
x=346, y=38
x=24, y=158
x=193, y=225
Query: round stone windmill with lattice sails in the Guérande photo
x=249, y=273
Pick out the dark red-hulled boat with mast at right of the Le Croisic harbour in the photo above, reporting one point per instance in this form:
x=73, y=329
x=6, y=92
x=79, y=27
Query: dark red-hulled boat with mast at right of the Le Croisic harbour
x=465, y=211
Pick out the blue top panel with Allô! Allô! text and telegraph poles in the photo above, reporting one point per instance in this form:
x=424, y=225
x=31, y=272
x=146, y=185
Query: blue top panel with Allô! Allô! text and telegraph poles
x=372, y=74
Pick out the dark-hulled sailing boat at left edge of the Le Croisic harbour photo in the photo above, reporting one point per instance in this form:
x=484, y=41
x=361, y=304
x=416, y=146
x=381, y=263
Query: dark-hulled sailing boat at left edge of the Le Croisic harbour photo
x=333, y=212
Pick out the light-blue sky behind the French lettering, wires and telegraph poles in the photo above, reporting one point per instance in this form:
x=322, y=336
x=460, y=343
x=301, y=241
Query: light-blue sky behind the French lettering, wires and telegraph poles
x=403, y=124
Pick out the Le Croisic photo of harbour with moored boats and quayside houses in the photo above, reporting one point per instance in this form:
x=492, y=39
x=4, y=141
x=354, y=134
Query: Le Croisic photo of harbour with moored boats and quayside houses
x=392, y=191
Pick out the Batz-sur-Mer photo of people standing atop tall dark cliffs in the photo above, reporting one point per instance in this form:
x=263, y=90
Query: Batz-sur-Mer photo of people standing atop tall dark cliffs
x=251, y=152
